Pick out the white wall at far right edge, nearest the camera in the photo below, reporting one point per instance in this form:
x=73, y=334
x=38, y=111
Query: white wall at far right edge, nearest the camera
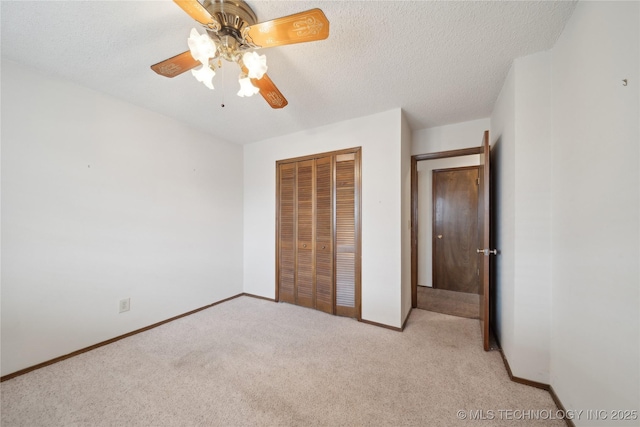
x=595, y=339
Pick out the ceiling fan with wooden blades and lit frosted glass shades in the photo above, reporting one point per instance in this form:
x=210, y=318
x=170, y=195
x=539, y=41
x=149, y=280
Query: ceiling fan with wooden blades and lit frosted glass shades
x=232, y=34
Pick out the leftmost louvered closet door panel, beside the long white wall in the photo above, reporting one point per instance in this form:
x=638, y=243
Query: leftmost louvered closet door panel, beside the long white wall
x=287, y=232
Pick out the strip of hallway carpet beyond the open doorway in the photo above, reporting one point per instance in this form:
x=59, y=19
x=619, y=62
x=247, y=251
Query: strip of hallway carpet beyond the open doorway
x=449, y=302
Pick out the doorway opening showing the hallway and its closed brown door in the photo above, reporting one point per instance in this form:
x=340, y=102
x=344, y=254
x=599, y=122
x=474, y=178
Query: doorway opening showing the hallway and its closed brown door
x=446, y=199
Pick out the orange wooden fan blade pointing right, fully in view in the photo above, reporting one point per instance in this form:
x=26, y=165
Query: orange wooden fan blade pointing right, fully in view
x=298, y=28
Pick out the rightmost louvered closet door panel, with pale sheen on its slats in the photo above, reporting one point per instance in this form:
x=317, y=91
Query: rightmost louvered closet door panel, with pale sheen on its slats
x=346, y=247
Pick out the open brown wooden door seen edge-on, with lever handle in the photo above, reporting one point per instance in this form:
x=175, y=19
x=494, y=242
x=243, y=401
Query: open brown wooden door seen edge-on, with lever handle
x=484, y=250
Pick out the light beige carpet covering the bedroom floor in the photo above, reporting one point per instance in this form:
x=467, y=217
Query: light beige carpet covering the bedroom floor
x=250, y=362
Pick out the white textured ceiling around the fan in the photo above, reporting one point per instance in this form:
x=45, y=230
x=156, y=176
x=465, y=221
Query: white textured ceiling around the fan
x=441, y=62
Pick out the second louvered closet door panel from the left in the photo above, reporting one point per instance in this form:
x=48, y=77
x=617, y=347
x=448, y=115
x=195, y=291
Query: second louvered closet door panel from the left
x=305, y=270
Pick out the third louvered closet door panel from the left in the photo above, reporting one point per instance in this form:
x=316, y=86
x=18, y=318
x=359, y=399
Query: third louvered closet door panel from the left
x=324, y=234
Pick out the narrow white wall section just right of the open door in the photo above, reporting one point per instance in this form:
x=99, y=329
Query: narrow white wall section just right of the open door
x=532, y=245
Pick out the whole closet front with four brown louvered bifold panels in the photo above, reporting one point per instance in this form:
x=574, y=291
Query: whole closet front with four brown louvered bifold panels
x=318, y=232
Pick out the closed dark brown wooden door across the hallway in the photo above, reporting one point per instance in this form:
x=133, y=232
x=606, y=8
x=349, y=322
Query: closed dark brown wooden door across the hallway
x=455, y=222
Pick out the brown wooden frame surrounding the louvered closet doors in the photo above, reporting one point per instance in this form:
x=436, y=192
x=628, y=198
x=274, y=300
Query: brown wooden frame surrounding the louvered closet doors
x=358, y=221
